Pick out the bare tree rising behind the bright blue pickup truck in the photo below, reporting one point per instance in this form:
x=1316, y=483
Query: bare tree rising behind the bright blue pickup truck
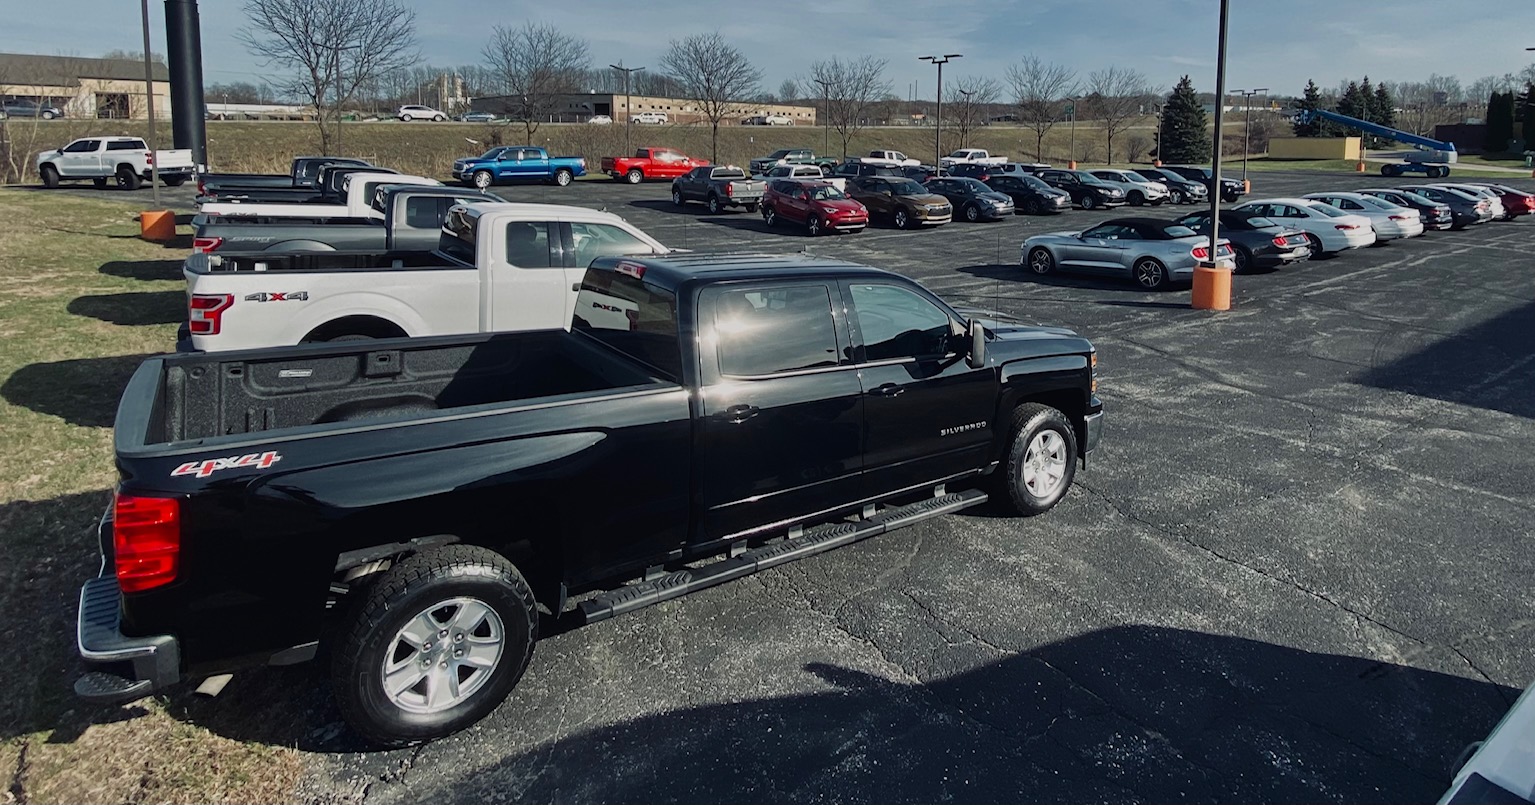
x=536, y=65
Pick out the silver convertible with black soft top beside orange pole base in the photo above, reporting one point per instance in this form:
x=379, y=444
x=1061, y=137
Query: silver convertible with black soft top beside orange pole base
x=1155, y=254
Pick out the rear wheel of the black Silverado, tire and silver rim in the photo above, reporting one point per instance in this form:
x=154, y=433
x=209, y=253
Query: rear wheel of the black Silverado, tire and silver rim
x=434, y=591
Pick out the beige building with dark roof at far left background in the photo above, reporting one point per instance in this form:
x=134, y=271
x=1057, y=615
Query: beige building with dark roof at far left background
x=93, y=88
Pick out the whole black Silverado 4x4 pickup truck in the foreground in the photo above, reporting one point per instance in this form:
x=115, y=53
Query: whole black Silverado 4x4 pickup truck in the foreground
x=414, y=503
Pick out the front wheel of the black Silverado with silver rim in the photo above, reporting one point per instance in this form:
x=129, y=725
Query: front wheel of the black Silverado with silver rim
x=1040, y=463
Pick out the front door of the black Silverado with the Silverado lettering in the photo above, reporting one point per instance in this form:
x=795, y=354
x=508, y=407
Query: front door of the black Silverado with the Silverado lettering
x=926, y=412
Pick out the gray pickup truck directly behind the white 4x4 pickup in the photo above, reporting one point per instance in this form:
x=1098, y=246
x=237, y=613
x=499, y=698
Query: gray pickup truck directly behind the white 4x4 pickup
x=412, y=224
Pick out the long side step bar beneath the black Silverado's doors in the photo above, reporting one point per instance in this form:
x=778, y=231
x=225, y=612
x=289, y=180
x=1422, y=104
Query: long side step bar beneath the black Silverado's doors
x=813, y=542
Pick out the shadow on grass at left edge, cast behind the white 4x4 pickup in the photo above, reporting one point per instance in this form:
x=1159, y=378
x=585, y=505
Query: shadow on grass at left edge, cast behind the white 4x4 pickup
x=82, y=393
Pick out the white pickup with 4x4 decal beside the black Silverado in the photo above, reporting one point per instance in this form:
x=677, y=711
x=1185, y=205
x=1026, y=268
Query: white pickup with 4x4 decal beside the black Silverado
x=506, y=267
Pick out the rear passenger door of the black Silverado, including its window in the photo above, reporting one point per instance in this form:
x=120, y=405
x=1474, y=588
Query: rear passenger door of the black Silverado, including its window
x=782, y=417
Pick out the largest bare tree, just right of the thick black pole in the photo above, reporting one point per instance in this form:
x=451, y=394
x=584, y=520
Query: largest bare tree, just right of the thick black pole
x=332, y=48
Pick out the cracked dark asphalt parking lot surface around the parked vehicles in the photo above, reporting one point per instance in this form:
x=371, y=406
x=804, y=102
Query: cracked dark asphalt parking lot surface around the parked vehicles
x=1296, y=571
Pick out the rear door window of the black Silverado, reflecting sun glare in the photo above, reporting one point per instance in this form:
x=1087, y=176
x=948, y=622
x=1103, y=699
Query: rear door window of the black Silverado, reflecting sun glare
x=768, y=331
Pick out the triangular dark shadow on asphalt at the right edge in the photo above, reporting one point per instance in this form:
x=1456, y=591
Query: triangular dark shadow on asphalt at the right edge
x=1487, y=366
